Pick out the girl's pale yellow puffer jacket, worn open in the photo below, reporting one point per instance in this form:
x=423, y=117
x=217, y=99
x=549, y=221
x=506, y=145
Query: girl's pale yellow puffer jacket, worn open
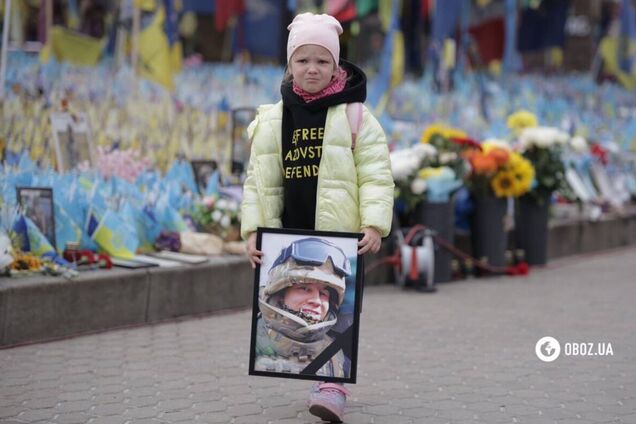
x=355, y=188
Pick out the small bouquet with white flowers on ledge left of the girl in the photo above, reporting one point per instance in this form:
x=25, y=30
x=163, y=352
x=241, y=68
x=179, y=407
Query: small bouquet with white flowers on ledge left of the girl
x=219, y=216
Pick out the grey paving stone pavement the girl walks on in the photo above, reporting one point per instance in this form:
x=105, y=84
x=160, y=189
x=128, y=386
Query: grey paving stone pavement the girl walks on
x=465, y=354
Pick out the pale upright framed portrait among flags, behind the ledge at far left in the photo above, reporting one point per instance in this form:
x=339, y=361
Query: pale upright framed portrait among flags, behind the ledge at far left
x=72, y=140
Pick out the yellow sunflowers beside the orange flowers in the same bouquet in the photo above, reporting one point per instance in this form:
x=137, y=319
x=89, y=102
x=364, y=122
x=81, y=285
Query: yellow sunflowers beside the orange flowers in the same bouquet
x=515, y=179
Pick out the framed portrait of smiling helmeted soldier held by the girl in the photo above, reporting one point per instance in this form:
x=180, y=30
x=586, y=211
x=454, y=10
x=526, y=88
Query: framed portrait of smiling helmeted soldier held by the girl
x=306, y=306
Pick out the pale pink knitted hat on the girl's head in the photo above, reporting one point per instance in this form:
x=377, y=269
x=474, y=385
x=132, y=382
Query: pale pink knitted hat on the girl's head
x=322, y=30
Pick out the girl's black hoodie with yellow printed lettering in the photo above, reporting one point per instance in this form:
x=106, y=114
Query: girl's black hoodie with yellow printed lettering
x=303, y=130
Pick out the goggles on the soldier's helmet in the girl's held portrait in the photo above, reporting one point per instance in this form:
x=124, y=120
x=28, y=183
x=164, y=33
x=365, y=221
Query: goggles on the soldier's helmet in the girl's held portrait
x=315, y=251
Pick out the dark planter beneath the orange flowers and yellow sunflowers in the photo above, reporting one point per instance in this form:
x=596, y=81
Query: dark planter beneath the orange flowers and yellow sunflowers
x=488, y=234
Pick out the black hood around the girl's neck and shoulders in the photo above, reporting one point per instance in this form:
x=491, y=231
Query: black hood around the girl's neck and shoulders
x=355, y=91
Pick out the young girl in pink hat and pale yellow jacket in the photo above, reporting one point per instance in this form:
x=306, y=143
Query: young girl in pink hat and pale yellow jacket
x=304, y=170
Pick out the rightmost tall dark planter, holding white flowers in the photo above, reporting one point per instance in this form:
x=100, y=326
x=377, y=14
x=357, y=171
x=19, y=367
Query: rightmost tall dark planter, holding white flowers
x=531, y=229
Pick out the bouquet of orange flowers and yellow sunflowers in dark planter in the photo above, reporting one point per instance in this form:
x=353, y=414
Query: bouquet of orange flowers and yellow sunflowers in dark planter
x=495, y=170
